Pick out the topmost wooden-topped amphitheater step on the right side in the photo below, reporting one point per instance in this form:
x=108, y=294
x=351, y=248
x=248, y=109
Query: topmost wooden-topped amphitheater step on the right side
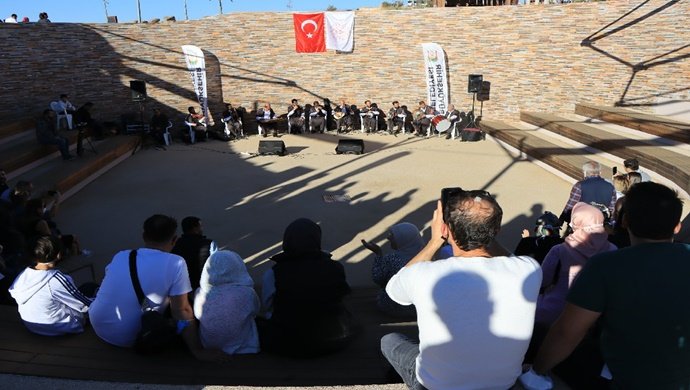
x=652, y=124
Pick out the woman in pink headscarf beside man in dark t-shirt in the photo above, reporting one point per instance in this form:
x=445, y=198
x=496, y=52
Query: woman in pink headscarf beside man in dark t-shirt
x=564, y=261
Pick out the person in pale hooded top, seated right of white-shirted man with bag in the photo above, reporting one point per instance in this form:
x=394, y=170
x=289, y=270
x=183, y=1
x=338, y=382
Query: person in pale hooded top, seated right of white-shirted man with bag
x=226, y=304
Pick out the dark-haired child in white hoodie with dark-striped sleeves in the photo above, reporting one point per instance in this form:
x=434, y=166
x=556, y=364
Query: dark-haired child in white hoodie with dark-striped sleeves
x=49, y=302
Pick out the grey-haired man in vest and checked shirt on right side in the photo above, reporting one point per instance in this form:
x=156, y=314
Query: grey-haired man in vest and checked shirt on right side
x=592, y=189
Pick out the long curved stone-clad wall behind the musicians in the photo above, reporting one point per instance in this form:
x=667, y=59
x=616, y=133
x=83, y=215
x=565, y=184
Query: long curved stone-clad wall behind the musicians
x=536, y=58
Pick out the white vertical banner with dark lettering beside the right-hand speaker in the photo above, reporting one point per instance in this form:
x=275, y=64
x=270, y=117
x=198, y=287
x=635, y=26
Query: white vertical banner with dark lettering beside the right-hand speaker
x=436, y=77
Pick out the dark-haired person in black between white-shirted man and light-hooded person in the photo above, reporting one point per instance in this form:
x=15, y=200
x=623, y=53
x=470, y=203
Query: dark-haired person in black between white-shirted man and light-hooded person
x=194, y=247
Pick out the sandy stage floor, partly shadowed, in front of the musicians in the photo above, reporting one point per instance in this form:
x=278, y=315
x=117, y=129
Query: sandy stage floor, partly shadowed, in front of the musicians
x=245, y=201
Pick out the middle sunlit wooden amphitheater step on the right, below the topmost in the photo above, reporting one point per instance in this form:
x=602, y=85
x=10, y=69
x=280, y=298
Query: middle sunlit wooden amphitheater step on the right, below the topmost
x=669, y=164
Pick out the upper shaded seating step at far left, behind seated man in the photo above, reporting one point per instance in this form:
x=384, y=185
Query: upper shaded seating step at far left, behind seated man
x=22, y=151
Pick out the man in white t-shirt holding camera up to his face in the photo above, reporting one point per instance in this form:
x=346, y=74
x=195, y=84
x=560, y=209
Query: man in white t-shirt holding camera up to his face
x=475, y=311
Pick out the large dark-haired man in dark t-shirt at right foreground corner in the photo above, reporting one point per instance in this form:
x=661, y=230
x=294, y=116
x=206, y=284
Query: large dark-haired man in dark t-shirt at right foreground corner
x=638, y=294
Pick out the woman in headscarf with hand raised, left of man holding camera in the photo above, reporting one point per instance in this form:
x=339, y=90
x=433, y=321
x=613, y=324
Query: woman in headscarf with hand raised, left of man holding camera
x=406, y=242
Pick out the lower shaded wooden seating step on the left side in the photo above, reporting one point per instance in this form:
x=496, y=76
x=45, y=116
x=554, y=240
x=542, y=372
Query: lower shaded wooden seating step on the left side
x=69, y=176
